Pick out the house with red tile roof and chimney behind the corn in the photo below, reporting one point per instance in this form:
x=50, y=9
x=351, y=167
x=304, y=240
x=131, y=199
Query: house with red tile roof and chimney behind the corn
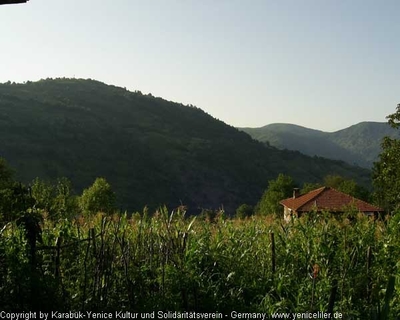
x=325, y=199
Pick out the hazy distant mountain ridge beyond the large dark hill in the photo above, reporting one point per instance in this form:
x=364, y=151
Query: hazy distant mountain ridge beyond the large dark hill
x=359, y=144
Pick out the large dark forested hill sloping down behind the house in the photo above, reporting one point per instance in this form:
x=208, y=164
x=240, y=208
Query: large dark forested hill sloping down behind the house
x=152, y=151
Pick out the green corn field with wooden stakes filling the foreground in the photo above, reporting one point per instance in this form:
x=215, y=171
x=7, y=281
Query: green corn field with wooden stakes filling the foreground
x=172, y=262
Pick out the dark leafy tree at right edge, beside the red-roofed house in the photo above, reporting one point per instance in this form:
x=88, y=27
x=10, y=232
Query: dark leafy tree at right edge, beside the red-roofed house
x=386, y=171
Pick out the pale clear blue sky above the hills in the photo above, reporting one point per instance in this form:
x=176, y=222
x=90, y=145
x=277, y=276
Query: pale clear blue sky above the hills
x=322, y=64
